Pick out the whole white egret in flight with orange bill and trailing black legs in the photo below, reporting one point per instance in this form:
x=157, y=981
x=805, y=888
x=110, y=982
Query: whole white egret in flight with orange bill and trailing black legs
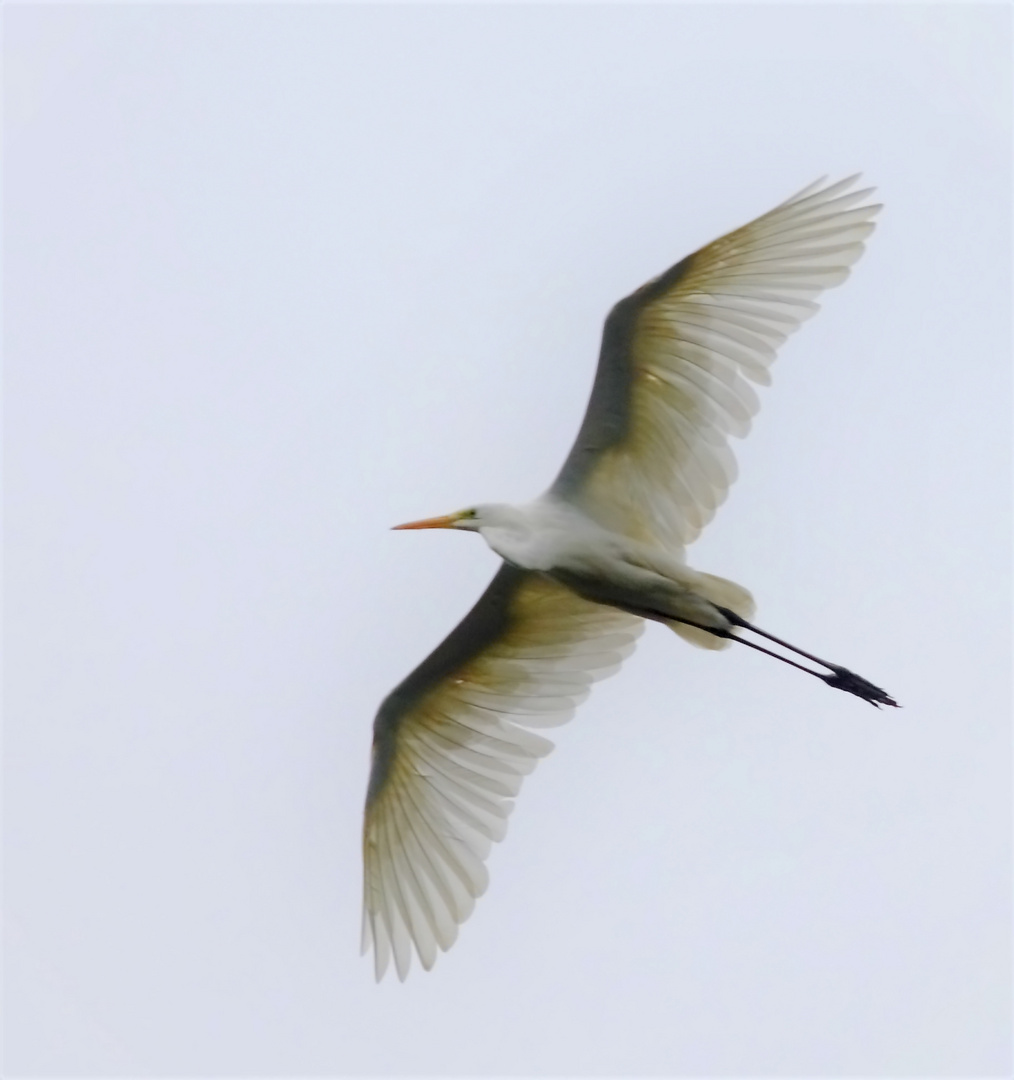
x=589, y=561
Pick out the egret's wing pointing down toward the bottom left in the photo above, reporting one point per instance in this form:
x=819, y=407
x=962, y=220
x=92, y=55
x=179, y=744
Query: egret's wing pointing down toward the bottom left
x=451, y=747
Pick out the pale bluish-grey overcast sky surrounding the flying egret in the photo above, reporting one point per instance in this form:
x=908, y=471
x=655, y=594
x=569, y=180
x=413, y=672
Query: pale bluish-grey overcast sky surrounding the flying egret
x=279, y=278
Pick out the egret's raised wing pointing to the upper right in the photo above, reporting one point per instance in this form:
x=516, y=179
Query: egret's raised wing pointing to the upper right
x=652, y=460
